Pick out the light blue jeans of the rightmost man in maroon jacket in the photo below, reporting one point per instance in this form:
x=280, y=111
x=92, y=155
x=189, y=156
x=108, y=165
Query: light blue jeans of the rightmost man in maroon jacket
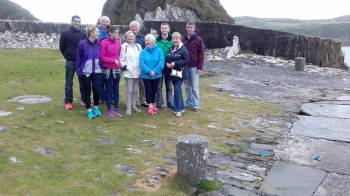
x=192, y=88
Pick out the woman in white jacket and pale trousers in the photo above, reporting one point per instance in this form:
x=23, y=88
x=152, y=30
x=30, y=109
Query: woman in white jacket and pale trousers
x=129, y=59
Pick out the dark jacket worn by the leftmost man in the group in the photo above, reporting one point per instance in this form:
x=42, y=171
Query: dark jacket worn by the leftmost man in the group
x=69, y=41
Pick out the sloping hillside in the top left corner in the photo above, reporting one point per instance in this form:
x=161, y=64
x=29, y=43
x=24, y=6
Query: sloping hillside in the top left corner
x=12, y=11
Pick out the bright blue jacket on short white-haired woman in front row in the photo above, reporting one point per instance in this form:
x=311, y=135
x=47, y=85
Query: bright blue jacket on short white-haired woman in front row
x=151, y=59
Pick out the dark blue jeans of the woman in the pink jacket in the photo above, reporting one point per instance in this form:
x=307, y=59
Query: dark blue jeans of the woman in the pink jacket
x=112, y=92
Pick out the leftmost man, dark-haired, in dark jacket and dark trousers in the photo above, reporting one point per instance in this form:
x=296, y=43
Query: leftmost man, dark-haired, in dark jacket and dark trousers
x=69, y=41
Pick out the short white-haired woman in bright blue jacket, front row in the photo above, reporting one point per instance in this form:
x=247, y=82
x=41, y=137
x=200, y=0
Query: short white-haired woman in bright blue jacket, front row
x=152, y=63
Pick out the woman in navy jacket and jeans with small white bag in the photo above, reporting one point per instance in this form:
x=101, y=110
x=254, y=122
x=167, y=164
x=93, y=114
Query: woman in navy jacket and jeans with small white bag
x=176, y=60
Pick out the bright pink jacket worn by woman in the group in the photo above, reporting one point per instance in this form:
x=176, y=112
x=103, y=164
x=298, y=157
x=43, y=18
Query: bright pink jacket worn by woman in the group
x=110, y=51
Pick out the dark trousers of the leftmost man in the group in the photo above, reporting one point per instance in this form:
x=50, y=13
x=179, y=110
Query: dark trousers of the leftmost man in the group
x=68, y=88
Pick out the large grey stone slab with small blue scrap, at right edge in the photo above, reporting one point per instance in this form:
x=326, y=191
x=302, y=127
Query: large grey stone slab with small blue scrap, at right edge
x=301, y=150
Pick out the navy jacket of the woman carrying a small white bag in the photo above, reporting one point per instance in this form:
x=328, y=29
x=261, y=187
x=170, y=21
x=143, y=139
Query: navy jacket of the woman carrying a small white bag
x=181, y=58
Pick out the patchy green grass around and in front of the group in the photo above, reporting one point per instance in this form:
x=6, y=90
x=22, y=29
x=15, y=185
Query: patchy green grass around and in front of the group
x=81, y=165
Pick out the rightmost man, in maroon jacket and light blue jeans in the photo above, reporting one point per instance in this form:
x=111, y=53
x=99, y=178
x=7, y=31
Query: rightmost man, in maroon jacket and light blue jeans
x=195, y=46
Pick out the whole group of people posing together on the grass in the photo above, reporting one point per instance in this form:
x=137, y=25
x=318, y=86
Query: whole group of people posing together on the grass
x=99, y=58
